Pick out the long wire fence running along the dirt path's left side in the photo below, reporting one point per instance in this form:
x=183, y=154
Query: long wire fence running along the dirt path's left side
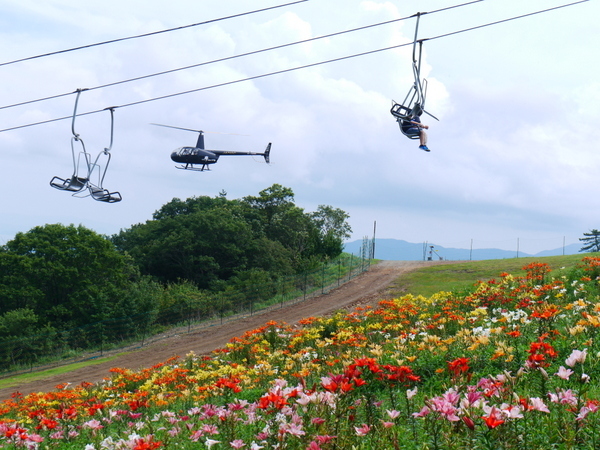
x=108, y=337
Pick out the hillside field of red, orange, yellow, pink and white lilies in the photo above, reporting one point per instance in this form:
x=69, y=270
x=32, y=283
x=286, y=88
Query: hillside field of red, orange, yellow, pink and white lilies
x=513, y=364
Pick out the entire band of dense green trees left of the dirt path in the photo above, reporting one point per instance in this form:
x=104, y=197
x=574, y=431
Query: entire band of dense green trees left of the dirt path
x=56, y=277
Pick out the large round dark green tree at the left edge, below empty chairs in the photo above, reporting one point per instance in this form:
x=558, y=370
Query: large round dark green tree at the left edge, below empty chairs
x=73, y=274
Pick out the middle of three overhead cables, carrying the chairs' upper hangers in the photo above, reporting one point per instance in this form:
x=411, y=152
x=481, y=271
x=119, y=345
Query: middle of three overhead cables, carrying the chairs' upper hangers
x=277, y=47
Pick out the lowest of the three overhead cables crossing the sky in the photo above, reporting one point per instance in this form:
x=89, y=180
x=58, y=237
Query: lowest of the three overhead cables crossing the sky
x=342, y=58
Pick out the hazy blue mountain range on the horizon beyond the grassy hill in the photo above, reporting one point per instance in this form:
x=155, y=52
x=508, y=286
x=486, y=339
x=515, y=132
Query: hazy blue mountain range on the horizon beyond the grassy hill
x=398, y=250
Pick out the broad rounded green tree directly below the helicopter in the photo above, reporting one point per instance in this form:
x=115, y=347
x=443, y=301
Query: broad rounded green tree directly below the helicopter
x=199, y=240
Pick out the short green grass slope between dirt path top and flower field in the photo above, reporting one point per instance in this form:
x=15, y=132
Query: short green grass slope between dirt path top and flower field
x=463, y=275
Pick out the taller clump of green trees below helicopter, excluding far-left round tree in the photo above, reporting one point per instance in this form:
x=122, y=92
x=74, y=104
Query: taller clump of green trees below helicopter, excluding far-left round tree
x=210, y=240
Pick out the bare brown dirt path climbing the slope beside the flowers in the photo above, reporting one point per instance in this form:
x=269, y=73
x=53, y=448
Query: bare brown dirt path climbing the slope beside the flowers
x=366, y=288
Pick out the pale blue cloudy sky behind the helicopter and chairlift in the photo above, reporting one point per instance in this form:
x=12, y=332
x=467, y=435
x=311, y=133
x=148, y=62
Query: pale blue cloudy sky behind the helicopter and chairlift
x=514, y=156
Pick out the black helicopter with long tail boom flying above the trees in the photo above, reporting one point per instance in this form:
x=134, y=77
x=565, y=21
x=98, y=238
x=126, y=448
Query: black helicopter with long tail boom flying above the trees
x=199, y=156
